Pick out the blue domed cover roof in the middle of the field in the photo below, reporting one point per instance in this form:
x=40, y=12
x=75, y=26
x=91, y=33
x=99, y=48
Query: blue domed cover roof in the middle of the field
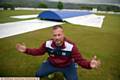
x=60, y=15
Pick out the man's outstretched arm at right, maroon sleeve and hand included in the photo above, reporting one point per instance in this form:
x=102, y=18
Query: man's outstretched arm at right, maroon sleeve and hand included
x=94, y=63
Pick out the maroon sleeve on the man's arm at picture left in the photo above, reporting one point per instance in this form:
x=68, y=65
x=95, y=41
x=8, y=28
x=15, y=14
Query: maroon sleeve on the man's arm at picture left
x=36, y=51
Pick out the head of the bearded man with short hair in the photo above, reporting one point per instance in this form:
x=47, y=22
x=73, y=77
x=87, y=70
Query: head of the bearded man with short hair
x=58, y=35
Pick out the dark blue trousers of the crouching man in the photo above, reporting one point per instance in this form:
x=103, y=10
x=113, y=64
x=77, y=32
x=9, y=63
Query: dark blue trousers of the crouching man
x=70, y=72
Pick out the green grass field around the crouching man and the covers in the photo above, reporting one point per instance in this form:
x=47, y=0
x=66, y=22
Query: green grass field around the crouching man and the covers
x=104, y=42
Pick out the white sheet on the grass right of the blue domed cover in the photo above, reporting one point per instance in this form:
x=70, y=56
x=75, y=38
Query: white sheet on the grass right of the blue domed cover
x=87, y=20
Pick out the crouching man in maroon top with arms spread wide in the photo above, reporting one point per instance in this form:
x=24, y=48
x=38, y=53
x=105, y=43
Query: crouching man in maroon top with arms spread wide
x=63, y=54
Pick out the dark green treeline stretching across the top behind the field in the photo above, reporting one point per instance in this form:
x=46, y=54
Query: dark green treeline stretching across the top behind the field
x=45, y=4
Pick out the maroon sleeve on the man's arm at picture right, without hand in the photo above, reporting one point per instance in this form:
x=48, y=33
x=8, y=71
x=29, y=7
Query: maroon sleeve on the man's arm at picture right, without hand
x=79, y=59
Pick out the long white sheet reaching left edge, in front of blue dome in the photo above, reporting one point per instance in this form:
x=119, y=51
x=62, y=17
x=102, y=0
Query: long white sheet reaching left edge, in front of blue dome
x=14, y=28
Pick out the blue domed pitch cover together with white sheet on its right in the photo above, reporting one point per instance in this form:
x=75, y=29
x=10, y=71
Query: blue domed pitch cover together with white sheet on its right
x=74, y=17
